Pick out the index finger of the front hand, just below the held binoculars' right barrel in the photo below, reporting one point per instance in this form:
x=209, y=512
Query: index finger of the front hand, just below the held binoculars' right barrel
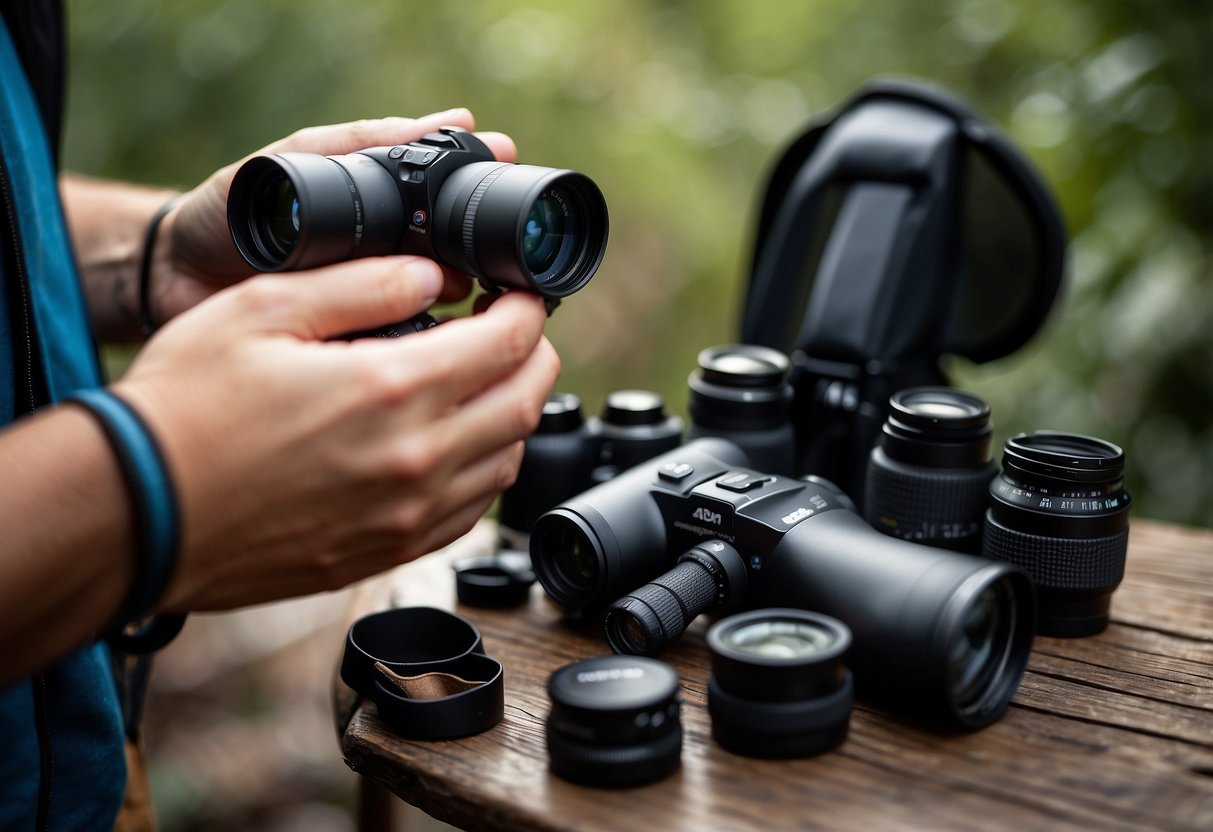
x=451, y=363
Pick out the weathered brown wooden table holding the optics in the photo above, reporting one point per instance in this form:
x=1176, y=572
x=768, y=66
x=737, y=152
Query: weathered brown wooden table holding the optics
x=1107, y=733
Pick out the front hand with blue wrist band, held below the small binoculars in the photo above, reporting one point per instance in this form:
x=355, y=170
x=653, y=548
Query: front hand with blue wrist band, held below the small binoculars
x=304, y=464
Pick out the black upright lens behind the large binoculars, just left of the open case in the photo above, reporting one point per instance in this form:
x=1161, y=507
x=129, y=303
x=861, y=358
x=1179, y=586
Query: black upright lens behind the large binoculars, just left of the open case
x=741, y=392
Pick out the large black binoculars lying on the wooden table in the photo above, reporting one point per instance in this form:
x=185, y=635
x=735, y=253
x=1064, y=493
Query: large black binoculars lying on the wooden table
x=943, y=632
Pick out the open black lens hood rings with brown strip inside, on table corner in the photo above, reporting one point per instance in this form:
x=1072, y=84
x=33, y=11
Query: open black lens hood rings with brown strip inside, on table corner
x=426, y=673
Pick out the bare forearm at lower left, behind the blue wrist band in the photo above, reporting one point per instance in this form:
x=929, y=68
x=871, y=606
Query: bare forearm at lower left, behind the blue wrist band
x=66, y=539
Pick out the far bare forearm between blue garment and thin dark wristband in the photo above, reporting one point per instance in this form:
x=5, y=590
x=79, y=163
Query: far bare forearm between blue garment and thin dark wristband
x=109, y=224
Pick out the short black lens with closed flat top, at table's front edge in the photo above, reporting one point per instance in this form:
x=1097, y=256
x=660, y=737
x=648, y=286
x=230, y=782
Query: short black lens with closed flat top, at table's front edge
x=616, y=721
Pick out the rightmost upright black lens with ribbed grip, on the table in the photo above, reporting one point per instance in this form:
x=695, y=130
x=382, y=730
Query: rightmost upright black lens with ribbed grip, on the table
x=1061, y=511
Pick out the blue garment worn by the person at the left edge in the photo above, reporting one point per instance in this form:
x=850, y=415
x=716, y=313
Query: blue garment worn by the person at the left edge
x=61, y=733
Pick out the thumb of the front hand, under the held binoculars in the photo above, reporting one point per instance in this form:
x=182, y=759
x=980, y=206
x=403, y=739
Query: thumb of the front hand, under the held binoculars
x=357, y=295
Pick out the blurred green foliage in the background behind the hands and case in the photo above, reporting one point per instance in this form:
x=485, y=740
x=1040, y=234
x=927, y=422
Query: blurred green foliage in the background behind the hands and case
x=679, y=110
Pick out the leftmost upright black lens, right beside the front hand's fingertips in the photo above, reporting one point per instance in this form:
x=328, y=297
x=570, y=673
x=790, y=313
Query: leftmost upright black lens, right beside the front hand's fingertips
x=556, y=465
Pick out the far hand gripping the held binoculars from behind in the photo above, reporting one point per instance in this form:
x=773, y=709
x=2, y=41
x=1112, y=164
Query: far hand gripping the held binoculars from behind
x=196, y=257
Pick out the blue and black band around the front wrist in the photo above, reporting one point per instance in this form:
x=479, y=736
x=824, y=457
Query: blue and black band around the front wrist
x=157, y=520
